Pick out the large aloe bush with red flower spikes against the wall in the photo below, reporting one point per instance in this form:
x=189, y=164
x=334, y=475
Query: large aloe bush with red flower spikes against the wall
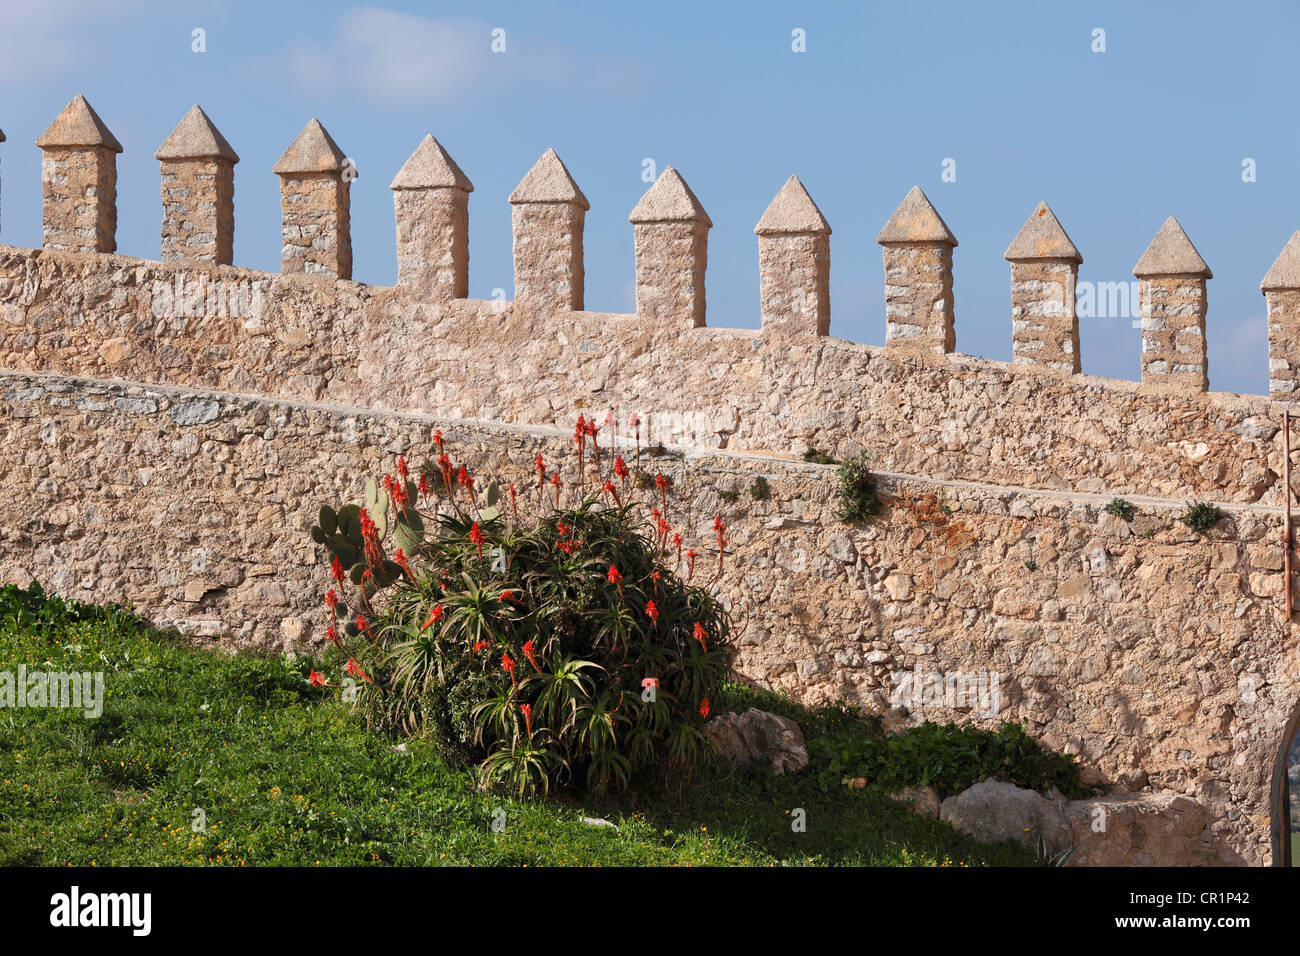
x=552, y=638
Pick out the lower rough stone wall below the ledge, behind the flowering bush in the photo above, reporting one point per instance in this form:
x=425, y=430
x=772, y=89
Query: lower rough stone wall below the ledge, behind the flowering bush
x=1151, y=652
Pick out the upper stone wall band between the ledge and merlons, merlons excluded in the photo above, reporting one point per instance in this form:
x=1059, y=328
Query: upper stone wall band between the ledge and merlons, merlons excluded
x=774, y=391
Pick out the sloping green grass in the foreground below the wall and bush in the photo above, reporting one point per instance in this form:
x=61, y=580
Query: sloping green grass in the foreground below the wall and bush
x=287, y=776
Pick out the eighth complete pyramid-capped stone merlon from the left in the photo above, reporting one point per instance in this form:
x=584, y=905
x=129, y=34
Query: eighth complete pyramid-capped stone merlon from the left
x=918, y=261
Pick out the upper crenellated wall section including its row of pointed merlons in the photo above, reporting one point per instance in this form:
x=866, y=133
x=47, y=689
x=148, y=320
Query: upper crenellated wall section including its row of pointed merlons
x=423, y=347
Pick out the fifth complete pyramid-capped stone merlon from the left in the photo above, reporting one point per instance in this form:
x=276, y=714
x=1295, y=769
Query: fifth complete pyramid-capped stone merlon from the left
x=549, y=213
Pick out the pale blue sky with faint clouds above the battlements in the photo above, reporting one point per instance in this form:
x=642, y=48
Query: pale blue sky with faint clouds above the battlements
x=1116, y=142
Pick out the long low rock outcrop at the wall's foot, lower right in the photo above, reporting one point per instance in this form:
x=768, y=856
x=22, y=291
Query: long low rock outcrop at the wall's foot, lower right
x=1160, y=829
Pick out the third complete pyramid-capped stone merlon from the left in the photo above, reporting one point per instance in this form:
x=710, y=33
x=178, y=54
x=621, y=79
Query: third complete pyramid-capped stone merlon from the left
x=315, y=194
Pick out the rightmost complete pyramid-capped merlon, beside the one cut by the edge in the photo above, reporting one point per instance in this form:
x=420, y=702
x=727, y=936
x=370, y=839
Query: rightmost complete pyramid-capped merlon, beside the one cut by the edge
x=1172, y=288
